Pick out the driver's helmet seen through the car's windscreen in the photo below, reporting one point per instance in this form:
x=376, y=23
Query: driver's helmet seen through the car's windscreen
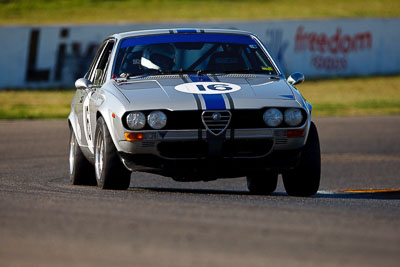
x=158, y=57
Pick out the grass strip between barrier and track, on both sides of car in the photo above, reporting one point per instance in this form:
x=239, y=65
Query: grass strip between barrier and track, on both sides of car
x=339, y=97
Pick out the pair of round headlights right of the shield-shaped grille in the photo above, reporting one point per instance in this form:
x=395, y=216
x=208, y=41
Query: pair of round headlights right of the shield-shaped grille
x=273, y=117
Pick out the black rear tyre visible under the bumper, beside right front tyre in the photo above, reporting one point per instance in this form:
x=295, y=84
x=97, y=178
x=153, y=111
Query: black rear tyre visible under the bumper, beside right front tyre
x=262, y=183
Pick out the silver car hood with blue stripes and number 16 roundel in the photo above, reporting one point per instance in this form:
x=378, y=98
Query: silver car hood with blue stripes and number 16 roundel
x=192, y=93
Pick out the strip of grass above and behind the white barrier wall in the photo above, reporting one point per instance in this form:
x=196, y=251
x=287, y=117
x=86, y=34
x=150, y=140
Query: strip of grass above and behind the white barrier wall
x=130, y=11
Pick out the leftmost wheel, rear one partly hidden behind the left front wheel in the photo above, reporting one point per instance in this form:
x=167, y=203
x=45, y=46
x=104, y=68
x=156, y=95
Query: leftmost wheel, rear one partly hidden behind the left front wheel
x=81, y=172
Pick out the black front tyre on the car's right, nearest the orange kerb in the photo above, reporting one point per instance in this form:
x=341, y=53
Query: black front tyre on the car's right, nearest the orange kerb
x=304, y=179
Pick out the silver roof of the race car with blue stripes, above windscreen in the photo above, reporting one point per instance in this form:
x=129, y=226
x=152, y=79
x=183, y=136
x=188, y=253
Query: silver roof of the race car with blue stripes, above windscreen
x=177, y=31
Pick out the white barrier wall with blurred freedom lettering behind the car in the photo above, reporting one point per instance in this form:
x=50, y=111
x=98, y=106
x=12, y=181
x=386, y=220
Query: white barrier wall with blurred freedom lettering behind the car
x=54, y=56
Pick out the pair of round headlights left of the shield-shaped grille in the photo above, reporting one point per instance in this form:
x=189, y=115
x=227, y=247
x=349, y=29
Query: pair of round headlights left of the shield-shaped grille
x=136, y=120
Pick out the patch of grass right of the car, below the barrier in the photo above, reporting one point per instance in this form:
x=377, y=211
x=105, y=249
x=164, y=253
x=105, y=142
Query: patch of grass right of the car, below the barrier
x=353, y=96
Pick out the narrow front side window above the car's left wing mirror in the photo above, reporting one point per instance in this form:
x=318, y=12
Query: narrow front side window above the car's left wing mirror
x=98, y=71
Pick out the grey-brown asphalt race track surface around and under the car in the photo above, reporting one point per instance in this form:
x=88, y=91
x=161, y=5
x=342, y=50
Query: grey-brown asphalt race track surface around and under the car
x=45, y=221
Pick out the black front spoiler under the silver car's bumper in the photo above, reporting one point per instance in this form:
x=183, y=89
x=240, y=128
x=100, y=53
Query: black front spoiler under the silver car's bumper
x=210, y=168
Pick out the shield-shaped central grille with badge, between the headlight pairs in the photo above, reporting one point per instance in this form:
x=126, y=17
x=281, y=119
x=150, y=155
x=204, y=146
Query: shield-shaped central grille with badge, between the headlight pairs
x=216, y=121
